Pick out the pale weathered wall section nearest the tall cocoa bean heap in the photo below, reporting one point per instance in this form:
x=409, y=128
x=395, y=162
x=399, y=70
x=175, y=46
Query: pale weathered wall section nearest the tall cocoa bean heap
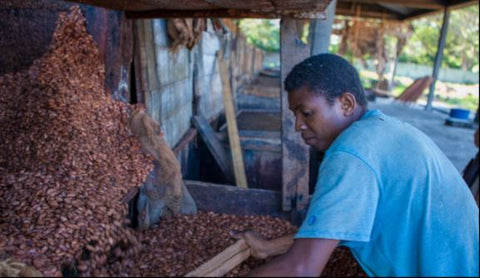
x=166, y=79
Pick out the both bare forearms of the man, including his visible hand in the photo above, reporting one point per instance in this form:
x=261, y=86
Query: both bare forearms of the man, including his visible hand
x=301, y=257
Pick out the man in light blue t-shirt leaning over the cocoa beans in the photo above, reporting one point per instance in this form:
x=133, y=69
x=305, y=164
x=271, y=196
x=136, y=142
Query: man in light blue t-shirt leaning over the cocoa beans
x=384, y=189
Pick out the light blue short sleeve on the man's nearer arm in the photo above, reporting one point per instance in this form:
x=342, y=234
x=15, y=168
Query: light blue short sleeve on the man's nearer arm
x=345, y=200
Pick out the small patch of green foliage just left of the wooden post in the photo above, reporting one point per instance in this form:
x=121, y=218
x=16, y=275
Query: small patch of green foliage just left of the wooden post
x=263, y=33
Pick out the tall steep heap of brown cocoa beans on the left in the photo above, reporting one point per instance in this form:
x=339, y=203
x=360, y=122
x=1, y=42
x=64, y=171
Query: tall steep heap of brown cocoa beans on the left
x=67, y=158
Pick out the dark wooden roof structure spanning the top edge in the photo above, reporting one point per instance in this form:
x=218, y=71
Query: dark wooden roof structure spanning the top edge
x=300, y=9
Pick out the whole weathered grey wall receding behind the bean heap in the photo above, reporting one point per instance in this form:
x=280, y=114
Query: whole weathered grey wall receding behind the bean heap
x=165, y=79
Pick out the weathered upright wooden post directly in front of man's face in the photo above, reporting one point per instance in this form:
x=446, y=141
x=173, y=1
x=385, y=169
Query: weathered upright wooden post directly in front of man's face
x=295, y=154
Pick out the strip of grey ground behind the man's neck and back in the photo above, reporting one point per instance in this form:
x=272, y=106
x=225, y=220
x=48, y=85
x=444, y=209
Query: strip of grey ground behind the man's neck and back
x=455, y=142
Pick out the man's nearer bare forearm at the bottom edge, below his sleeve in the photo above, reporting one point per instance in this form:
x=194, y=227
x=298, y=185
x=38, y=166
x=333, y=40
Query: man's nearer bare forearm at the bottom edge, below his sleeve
x=306, y=257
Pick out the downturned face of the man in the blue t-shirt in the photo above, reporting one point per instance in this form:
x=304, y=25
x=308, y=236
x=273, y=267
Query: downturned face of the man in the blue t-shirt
x=318, y=121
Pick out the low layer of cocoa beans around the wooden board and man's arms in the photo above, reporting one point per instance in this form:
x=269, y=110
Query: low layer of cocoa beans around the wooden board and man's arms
x=177, y=246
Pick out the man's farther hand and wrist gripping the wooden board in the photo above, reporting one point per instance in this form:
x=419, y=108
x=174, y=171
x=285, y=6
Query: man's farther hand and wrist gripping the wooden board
x=262, y=248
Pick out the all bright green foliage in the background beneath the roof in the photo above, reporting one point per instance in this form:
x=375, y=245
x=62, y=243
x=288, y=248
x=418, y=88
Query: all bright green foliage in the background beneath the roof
x=460, y=52
